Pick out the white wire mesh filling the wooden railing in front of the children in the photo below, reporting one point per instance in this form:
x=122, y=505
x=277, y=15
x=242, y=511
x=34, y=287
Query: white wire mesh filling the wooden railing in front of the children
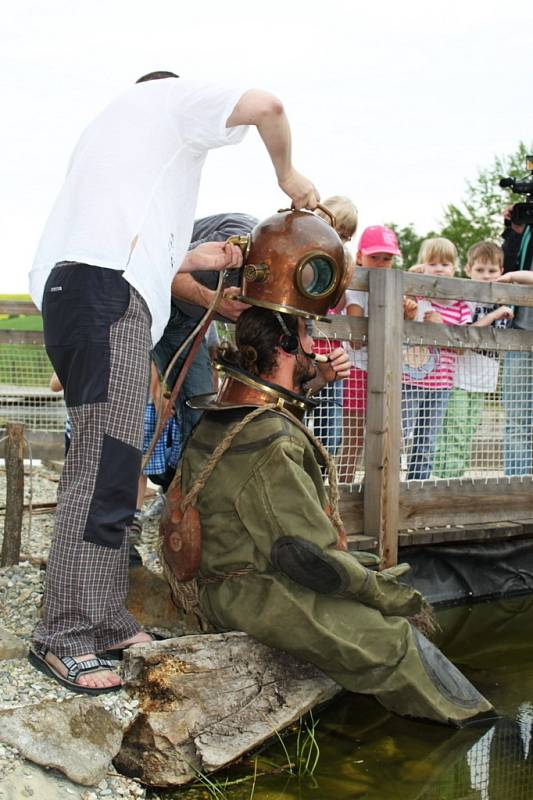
x=476, y=428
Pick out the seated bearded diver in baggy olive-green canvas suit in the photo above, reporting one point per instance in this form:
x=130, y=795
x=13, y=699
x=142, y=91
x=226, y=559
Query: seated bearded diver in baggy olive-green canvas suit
x=273, y=562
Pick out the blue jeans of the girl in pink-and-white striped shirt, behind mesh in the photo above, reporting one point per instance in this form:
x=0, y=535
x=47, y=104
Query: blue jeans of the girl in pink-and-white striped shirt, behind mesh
x=423, y=412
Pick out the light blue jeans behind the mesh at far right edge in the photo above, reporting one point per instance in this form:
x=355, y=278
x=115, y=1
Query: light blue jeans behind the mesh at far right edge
x=517, y=397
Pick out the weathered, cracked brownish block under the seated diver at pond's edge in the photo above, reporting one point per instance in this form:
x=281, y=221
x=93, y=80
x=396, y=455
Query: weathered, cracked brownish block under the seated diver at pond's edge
x=206, y=700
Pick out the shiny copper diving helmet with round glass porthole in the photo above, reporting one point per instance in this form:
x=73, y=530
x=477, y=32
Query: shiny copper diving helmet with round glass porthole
x=295, y=263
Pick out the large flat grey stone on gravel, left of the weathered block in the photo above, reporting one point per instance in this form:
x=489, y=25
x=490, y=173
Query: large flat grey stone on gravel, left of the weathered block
x=78, y=737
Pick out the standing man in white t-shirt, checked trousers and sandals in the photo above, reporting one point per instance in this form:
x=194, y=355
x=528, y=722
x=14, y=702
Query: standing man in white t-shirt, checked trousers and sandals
x=115, y=238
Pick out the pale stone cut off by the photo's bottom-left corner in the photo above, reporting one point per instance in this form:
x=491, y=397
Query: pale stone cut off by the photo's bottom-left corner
x=31, y=781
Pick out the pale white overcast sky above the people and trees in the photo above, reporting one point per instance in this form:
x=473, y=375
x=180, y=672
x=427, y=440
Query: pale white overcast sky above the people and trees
x=392, y=103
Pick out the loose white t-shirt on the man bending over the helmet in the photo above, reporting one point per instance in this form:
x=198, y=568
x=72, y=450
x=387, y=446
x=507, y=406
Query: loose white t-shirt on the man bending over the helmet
x=134, y=176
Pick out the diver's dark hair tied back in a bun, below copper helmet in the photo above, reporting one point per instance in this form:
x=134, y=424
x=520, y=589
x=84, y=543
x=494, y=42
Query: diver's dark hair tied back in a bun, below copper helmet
x=257, y=336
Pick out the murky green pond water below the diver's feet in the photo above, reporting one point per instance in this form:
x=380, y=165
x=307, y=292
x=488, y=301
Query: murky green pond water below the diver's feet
x=367, y=753
